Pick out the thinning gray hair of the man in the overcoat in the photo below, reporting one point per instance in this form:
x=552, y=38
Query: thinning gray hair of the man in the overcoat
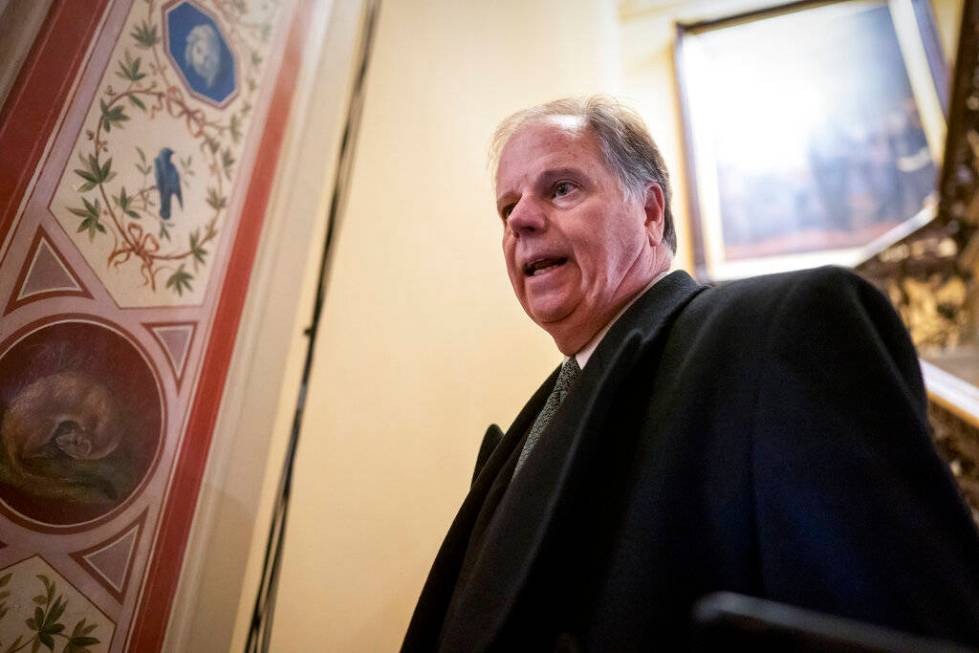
x=628, y=149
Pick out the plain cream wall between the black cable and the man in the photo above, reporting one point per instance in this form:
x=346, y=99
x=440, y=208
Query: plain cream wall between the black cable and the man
x=422, y=345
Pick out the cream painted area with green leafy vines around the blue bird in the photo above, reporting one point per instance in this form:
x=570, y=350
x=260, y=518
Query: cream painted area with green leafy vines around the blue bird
x=137, y=218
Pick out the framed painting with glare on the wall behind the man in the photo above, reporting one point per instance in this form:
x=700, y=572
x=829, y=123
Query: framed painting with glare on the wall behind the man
x=813, y=132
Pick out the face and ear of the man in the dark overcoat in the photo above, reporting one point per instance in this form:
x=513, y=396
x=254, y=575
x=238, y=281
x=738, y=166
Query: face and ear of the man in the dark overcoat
x=576, y=248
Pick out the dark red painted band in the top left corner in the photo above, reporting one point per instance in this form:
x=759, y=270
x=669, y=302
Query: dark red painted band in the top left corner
x=31, y=110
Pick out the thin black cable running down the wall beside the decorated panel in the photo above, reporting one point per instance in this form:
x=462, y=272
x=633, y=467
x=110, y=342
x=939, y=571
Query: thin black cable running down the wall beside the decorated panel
x=260, y=628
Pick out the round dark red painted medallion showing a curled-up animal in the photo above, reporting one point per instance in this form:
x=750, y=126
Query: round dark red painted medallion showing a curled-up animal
x=81, y=422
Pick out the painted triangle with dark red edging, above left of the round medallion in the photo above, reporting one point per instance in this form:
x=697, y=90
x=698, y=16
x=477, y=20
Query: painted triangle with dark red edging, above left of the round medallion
x=45, y=274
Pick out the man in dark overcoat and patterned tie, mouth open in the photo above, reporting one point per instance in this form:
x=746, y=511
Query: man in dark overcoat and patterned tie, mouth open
x=767, y=437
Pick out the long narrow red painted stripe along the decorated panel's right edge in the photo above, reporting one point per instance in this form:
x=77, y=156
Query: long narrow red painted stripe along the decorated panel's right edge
x=161, y=579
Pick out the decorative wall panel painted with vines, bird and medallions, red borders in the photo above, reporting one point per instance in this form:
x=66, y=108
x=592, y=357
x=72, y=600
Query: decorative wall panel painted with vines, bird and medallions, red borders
x=129, y=217
